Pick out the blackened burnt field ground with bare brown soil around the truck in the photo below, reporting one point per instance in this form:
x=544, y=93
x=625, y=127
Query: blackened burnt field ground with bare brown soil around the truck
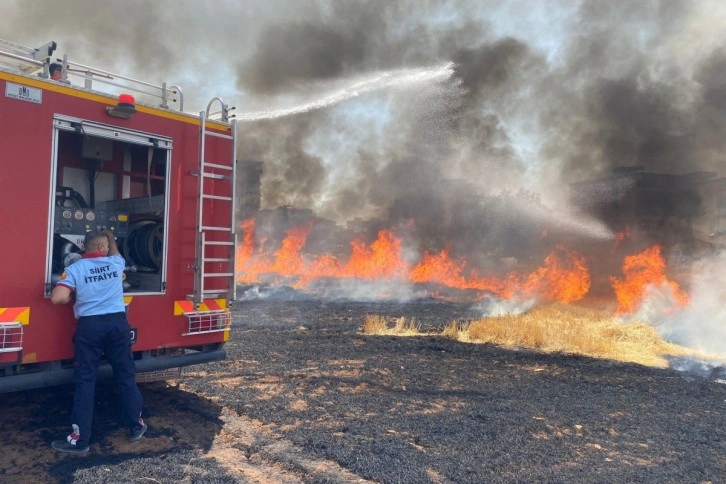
x=305, y=397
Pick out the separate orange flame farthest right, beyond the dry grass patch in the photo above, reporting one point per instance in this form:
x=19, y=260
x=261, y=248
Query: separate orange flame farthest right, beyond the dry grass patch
x=641, y=270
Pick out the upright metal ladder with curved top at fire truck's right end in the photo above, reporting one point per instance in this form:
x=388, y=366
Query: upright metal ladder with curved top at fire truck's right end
x=215, y=177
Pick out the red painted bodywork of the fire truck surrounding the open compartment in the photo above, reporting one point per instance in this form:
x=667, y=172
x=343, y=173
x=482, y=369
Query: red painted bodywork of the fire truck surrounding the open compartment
x=27, y=153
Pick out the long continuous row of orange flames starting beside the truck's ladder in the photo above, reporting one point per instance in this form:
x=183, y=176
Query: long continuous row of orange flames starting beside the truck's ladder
x=563, y=277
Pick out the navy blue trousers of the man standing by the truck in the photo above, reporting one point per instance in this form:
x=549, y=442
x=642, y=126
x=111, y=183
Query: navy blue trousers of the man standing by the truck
x=108, y=334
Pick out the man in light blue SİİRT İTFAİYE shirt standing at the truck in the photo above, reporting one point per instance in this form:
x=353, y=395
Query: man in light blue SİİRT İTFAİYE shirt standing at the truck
x=96, y=280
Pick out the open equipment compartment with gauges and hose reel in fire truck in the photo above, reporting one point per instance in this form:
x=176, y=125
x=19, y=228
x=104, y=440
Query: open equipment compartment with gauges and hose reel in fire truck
x=108, y=178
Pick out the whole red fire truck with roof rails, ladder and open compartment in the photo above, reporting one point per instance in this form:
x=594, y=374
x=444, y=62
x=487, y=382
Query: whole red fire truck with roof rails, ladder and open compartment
x=83, y=153
